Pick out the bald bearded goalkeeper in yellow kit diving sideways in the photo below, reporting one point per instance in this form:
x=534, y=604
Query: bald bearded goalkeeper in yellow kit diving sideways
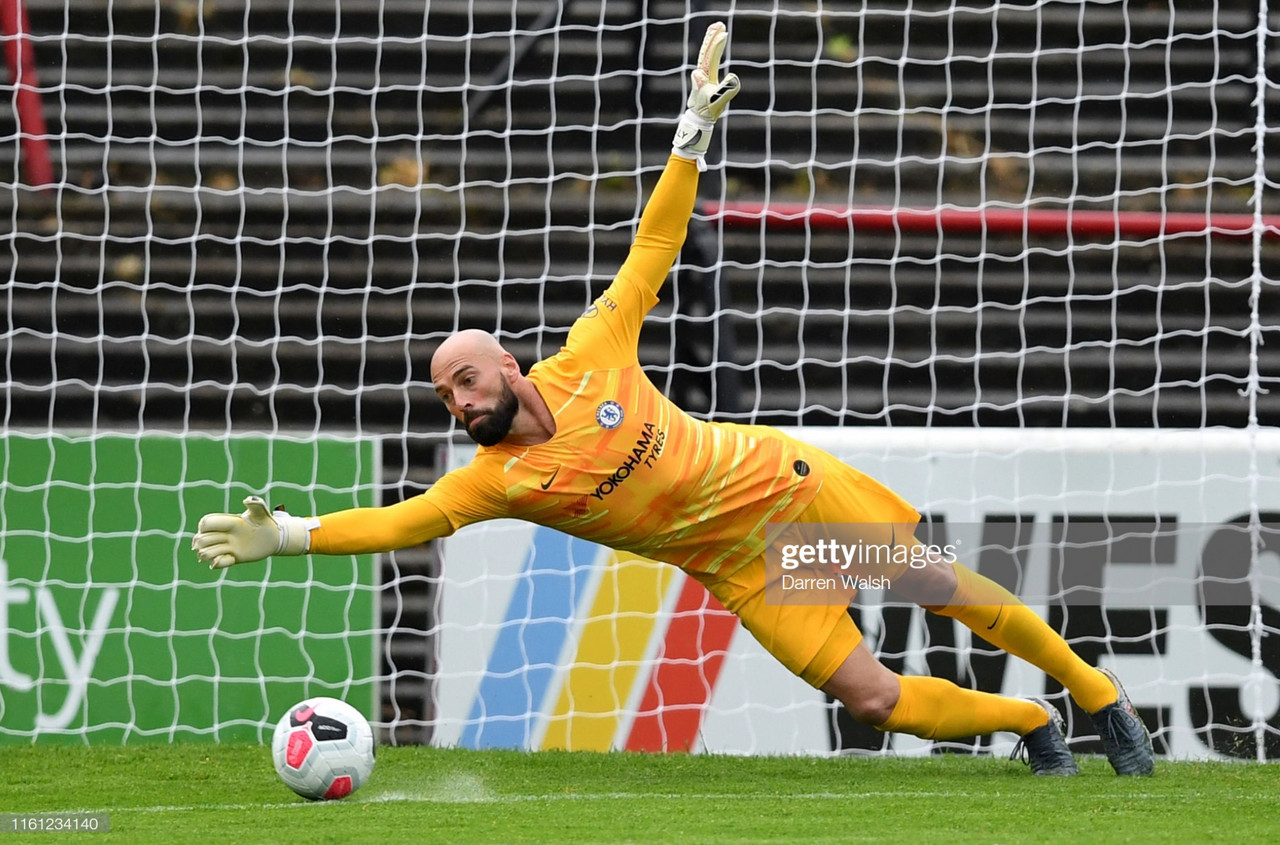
x=584, y=444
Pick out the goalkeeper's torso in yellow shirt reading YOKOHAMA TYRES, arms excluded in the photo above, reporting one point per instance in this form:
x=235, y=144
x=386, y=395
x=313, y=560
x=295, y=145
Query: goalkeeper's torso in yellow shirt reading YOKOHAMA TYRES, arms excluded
x=629, y=469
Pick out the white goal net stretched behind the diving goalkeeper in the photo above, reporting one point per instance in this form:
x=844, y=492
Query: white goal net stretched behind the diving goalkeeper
x=1014, y=259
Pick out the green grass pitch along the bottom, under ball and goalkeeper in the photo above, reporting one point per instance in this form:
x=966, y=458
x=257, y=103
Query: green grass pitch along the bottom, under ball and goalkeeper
x=230, y=794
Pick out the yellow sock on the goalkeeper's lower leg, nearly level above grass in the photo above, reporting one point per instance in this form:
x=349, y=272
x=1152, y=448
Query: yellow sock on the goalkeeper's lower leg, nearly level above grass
x=936, y=709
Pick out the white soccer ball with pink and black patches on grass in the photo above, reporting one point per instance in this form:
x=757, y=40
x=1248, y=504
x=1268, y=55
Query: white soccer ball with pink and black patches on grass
x=323, y=750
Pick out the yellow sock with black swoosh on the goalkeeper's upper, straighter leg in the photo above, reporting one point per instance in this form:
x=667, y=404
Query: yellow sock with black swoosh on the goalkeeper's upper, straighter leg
x=1002, y=619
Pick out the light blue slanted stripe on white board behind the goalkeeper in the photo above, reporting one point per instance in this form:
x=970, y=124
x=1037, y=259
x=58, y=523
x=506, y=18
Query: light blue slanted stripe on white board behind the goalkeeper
x=524, y=660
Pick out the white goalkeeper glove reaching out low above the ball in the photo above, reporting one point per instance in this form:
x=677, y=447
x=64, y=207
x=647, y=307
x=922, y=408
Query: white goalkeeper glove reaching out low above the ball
x=226, y=540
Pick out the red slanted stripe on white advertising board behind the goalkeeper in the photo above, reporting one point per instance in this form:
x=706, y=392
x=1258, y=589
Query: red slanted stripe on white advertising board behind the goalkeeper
x=683, y=680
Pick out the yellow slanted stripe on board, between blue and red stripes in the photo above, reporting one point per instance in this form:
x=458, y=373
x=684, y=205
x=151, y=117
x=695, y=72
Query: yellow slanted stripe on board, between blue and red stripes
x=614, y=641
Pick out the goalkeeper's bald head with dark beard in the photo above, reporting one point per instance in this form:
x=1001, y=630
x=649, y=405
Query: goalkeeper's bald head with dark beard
x=474, y=378
